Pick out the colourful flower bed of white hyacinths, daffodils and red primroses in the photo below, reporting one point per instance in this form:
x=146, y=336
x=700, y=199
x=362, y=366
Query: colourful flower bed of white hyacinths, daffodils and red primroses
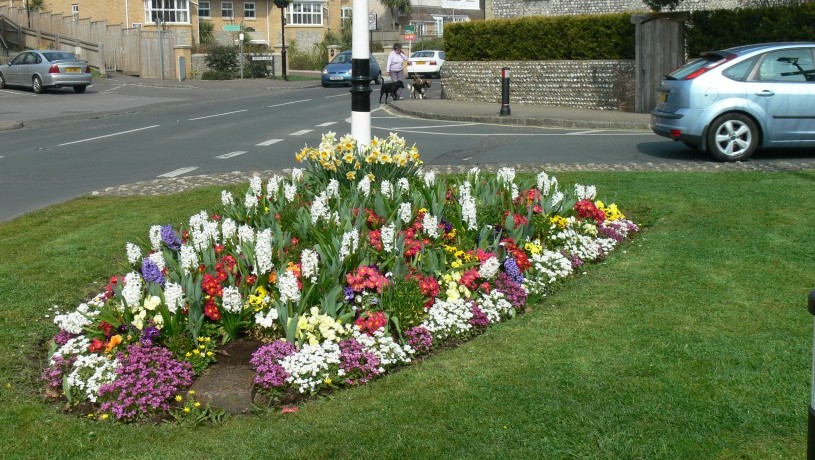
x=358, y=263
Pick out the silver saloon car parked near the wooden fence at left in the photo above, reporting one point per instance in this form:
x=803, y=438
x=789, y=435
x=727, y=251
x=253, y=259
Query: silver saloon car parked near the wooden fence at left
x=41, y=69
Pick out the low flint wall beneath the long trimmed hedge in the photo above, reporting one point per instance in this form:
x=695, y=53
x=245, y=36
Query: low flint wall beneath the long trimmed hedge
x=605, y=85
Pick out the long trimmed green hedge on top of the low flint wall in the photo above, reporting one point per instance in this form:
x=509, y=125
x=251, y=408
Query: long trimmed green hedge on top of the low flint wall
x=602, y=36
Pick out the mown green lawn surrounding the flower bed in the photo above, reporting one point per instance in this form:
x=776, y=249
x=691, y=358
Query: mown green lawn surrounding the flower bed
x=691, y=342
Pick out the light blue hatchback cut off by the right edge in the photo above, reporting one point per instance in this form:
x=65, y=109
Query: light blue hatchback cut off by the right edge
x=732, y=101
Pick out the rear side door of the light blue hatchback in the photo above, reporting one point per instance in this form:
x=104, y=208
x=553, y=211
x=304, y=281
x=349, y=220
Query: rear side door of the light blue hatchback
x=785, y=87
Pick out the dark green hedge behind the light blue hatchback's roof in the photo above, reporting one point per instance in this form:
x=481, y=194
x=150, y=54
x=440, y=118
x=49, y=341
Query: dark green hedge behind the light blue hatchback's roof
x=719, y=29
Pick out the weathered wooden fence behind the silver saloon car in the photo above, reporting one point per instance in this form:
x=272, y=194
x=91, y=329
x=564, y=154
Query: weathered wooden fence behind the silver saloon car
x=107, y=47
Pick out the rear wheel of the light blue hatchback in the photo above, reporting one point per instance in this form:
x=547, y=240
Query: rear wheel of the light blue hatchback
x=732, y=137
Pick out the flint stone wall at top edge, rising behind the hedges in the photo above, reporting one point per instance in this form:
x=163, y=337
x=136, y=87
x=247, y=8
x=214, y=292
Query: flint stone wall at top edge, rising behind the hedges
x=516, y=8
